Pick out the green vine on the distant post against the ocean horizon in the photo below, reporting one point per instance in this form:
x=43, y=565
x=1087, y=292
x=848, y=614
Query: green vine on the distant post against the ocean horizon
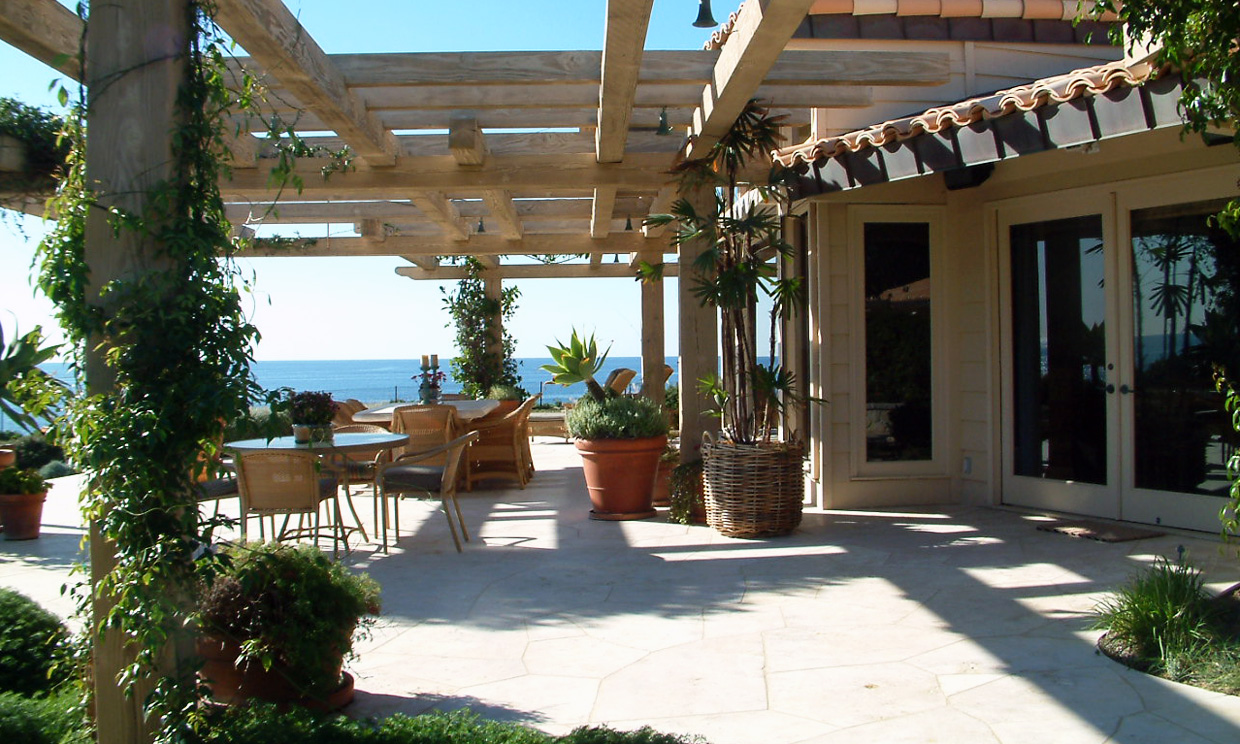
x=484, y=360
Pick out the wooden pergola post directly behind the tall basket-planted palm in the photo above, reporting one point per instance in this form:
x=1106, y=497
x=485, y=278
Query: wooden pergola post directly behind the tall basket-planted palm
x=700, y=344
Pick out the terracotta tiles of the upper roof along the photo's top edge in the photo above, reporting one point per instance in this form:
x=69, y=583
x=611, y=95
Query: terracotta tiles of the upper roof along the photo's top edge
x=1029, y=11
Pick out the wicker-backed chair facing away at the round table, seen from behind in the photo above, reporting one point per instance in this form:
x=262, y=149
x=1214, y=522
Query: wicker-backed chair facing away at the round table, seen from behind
x=286, y=483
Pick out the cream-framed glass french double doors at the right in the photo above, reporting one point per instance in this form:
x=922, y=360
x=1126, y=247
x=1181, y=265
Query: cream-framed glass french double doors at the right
x=1115, y=307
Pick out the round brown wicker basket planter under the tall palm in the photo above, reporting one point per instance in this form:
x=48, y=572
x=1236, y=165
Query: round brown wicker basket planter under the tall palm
x=753, y=490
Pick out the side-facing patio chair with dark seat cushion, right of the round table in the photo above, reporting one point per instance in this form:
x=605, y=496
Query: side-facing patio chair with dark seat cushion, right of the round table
x=415, y=476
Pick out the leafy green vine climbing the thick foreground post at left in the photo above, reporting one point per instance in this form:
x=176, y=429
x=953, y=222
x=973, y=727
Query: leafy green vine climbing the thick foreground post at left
x=175, y=366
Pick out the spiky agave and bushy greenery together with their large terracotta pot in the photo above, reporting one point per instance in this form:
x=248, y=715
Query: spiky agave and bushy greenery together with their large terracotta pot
x=621, y=438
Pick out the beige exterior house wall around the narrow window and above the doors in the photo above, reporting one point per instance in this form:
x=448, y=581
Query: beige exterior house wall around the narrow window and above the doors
x=967, y=312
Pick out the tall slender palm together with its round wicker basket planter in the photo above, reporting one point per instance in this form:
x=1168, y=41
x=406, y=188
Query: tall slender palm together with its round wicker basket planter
x=755, y=483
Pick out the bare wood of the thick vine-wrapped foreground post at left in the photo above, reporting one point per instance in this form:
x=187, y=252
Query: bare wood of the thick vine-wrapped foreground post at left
x=136, y=61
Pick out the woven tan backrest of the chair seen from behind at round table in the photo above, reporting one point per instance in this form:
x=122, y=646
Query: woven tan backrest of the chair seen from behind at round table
x=280, y=482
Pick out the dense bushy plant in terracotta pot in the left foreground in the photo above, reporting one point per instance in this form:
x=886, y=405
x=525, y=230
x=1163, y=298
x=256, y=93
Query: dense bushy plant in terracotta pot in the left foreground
x=278, y=623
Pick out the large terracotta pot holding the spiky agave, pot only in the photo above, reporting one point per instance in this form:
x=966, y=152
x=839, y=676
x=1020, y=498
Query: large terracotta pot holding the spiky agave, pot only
x=621, y=476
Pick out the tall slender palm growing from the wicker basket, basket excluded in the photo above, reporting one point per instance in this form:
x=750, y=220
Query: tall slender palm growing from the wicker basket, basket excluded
x=742, y=236
